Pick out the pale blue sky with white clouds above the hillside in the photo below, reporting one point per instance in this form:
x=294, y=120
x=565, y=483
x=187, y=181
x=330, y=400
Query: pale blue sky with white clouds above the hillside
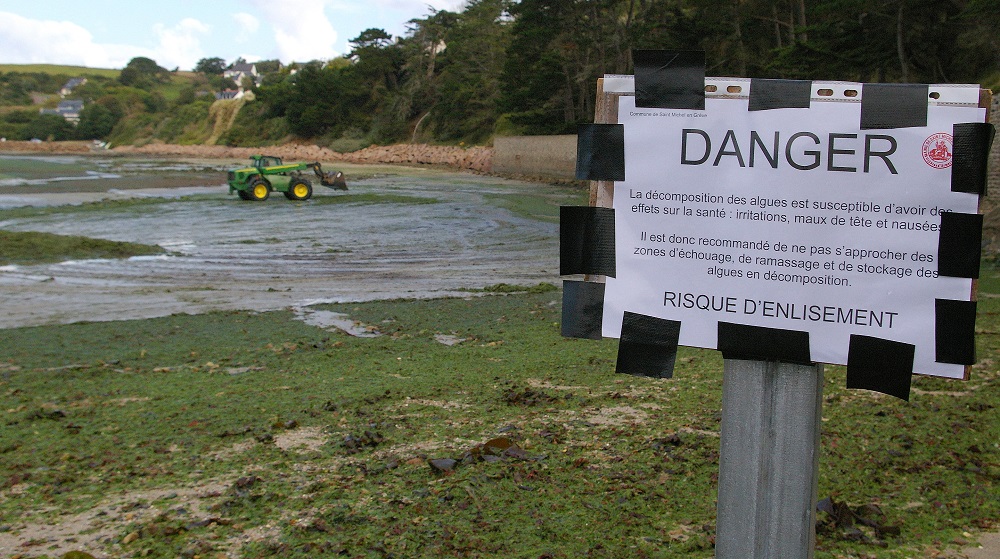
x=179, y=33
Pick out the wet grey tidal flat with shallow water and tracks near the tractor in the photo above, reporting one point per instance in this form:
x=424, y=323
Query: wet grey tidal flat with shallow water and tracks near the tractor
x=231, y=254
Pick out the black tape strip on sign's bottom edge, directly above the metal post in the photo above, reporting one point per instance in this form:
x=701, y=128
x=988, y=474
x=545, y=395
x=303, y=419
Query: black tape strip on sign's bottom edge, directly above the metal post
x=739, y=341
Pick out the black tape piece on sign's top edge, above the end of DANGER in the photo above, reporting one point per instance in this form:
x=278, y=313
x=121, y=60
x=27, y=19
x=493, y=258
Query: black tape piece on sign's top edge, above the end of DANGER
x=893, y=105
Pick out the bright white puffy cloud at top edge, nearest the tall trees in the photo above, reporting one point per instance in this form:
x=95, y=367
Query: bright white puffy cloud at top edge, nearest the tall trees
x=302, y=30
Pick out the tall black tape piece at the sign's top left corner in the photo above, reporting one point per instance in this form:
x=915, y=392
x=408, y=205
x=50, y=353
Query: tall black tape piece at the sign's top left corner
x=669, y=79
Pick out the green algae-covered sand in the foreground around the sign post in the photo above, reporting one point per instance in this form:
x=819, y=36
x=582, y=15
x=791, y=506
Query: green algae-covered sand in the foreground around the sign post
x=463, y=427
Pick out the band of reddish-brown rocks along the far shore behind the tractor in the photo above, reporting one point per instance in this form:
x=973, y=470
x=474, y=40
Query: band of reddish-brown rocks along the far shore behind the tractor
x=476, y=158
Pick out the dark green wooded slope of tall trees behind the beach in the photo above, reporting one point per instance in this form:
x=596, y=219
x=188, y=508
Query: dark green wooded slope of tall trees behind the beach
x=506, y=67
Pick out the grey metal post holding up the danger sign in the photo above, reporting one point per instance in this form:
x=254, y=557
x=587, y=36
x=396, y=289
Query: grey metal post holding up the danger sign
x=769, y=460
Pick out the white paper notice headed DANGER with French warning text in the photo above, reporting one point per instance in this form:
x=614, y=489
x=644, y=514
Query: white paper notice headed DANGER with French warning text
x=788, y=218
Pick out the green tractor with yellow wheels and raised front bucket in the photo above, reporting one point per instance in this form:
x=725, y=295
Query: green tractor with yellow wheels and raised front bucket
x=267, y=173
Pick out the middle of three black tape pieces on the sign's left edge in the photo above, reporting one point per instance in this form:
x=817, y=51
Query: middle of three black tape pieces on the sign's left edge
x=586, y=240
